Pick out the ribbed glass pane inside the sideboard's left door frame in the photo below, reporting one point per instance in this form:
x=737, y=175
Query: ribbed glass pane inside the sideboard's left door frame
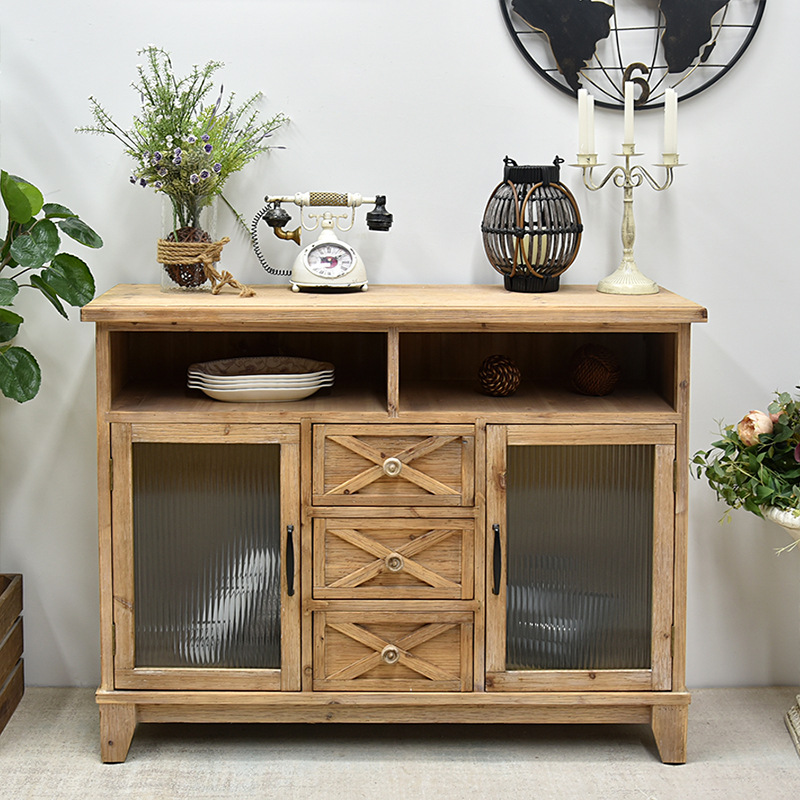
x=206, y=541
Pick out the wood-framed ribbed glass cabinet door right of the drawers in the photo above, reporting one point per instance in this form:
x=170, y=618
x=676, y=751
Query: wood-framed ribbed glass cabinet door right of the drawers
x=579, y=555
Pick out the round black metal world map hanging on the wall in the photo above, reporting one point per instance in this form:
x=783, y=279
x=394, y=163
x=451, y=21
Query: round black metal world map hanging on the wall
x=599, y=45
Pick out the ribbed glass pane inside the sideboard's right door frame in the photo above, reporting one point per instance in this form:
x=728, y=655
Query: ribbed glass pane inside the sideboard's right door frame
x=579, y=557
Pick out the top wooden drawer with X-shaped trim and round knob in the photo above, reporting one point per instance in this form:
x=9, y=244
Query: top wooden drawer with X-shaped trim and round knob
x=394, y=465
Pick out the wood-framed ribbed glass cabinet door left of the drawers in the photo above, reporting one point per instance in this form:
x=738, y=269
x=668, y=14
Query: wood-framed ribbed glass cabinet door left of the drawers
x=205, y=527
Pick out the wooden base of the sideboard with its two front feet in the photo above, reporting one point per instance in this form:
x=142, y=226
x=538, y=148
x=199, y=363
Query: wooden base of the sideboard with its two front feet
x=665, y=712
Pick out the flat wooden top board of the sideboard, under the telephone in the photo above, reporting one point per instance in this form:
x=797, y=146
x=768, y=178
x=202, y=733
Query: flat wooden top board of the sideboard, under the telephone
x=412, y=306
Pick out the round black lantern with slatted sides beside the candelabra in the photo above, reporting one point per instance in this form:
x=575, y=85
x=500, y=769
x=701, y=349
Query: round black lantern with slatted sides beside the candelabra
x=531, y=227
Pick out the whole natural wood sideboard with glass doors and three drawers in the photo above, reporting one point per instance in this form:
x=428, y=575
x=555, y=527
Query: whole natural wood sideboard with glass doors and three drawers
x=400, y=547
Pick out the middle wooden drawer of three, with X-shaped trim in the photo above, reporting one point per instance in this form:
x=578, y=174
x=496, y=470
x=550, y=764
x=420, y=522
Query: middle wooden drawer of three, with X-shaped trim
x=394, y=558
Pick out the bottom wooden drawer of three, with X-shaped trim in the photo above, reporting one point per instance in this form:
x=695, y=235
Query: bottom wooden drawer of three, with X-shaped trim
x=392, y=651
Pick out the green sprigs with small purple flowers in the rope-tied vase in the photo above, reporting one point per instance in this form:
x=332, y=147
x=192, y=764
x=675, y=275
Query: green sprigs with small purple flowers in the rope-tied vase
x=184, y=146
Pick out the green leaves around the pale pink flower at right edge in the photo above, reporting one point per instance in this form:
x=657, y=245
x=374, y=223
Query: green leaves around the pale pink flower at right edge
x=765, y=473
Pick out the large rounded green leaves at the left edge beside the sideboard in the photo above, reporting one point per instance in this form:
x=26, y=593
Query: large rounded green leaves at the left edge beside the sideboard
x=31, y=250
